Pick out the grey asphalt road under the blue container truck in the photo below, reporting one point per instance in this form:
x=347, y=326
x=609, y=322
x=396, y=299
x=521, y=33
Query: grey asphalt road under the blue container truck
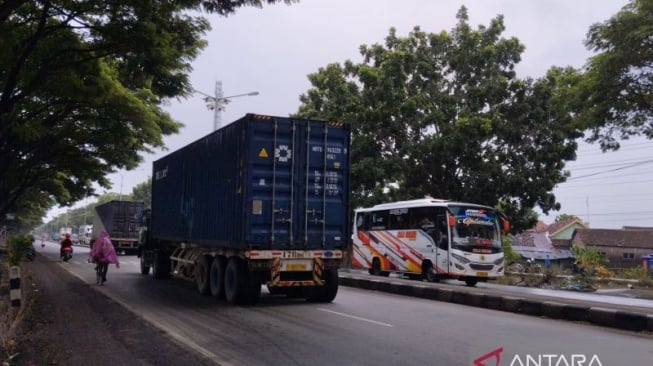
x=360, y=327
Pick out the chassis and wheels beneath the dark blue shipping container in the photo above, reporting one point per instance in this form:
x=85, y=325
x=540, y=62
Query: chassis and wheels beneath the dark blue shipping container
x=237, y=276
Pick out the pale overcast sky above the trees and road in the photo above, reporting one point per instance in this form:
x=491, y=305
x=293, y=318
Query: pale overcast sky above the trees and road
x=272, y=50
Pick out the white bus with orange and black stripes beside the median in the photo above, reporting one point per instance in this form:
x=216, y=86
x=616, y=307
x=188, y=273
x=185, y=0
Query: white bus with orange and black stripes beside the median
x=430, y=239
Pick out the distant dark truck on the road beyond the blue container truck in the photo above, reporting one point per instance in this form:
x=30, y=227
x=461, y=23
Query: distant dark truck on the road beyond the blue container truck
x=121, y=220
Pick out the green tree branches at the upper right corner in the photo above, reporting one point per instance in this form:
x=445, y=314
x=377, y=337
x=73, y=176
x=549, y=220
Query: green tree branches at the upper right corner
x=615, y=97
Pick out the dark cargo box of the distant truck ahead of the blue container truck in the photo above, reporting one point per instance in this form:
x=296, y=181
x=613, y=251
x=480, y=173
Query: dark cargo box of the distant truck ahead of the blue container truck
x=120, y=218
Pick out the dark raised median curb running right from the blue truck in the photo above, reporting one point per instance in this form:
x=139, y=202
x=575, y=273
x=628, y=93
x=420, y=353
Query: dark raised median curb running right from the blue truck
x=602, y=316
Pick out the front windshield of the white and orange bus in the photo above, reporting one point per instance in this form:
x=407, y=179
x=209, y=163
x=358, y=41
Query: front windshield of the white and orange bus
x=476, y=230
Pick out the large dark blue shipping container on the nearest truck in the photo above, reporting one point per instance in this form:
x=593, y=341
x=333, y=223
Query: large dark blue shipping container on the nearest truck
x=261, y=182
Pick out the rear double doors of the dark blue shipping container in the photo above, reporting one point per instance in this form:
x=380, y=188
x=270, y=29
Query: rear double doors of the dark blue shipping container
x=299, y=184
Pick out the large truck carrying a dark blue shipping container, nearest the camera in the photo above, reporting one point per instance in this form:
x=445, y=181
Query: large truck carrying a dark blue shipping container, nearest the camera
x=262, y=201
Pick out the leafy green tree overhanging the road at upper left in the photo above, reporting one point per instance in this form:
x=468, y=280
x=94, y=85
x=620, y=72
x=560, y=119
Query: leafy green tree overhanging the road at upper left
x=82, y=84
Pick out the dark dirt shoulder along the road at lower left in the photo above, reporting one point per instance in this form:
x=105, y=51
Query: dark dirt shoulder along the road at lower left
x=72, y=324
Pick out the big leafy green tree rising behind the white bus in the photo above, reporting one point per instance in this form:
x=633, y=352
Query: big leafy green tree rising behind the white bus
x=445, y=115
